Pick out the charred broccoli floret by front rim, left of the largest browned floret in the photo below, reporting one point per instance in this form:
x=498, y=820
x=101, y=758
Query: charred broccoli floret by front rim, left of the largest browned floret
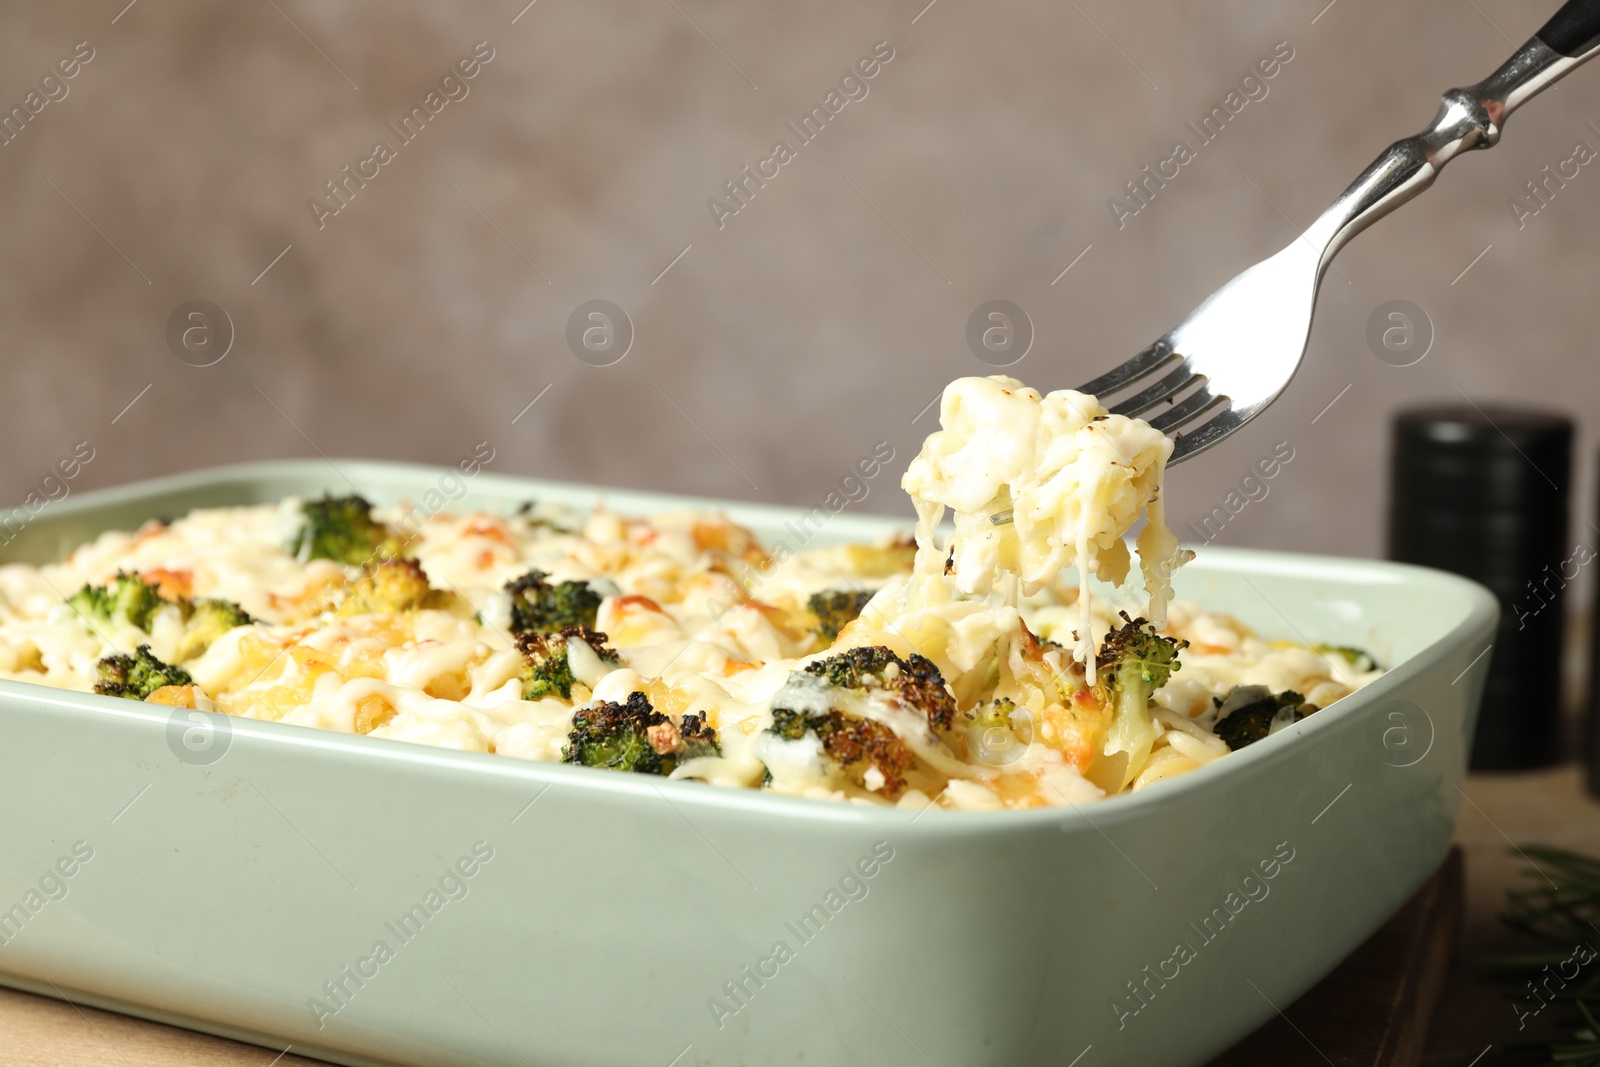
x=636, y=738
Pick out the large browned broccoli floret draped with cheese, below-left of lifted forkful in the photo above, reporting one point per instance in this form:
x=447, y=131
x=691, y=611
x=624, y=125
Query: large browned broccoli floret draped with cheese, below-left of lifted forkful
x=817, y=701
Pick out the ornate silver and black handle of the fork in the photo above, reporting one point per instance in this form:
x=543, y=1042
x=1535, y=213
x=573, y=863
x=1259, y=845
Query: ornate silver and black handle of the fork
x=1468, y=119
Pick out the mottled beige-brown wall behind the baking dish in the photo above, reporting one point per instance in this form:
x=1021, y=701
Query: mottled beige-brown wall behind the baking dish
x=818, y=321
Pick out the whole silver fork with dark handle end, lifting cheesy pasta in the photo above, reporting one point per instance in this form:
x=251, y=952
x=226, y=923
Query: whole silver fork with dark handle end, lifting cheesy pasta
x=1236, y=353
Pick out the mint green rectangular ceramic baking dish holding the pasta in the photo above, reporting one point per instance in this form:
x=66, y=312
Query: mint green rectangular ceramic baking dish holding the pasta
x=239, y=877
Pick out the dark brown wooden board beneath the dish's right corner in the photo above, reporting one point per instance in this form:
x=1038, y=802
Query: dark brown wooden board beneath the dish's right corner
x=1375, y=1009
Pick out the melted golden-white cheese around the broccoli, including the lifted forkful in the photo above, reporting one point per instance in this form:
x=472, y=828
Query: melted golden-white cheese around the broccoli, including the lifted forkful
x=708, y=623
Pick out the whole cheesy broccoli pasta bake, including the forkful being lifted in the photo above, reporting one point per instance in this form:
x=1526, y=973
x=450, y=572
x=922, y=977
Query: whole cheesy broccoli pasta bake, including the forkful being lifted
x=967, y=671
